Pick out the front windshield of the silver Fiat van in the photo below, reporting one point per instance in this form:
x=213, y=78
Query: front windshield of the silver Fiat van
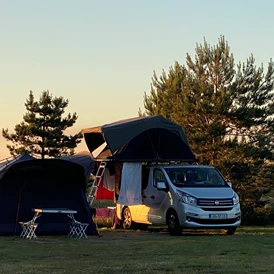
x=206, y=176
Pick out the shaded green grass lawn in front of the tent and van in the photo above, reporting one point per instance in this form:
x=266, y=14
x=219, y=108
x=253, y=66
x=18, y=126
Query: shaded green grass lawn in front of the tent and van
x=250, y=250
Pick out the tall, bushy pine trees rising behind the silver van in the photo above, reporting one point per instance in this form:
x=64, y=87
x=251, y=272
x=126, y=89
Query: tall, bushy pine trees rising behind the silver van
x=227, y=114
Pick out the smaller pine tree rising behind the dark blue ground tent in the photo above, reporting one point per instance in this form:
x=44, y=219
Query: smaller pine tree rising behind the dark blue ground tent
x=41, y=134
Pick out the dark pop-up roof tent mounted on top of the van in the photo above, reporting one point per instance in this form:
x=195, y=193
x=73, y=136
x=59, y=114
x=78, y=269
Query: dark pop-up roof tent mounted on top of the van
x=147, y=139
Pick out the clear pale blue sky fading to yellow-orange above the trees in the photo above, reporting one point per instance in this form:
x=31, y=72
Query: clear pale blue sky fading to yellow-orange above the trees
x=100, y=55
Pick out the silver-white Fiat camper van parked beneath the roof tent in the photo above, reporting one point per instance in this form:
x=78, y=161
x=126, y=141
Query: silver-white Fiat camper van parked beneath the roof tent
x=183, y=196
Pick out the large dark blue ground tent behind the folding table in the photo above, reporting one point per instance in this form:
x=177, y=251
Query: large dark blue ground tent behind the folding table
x=27, y=183
